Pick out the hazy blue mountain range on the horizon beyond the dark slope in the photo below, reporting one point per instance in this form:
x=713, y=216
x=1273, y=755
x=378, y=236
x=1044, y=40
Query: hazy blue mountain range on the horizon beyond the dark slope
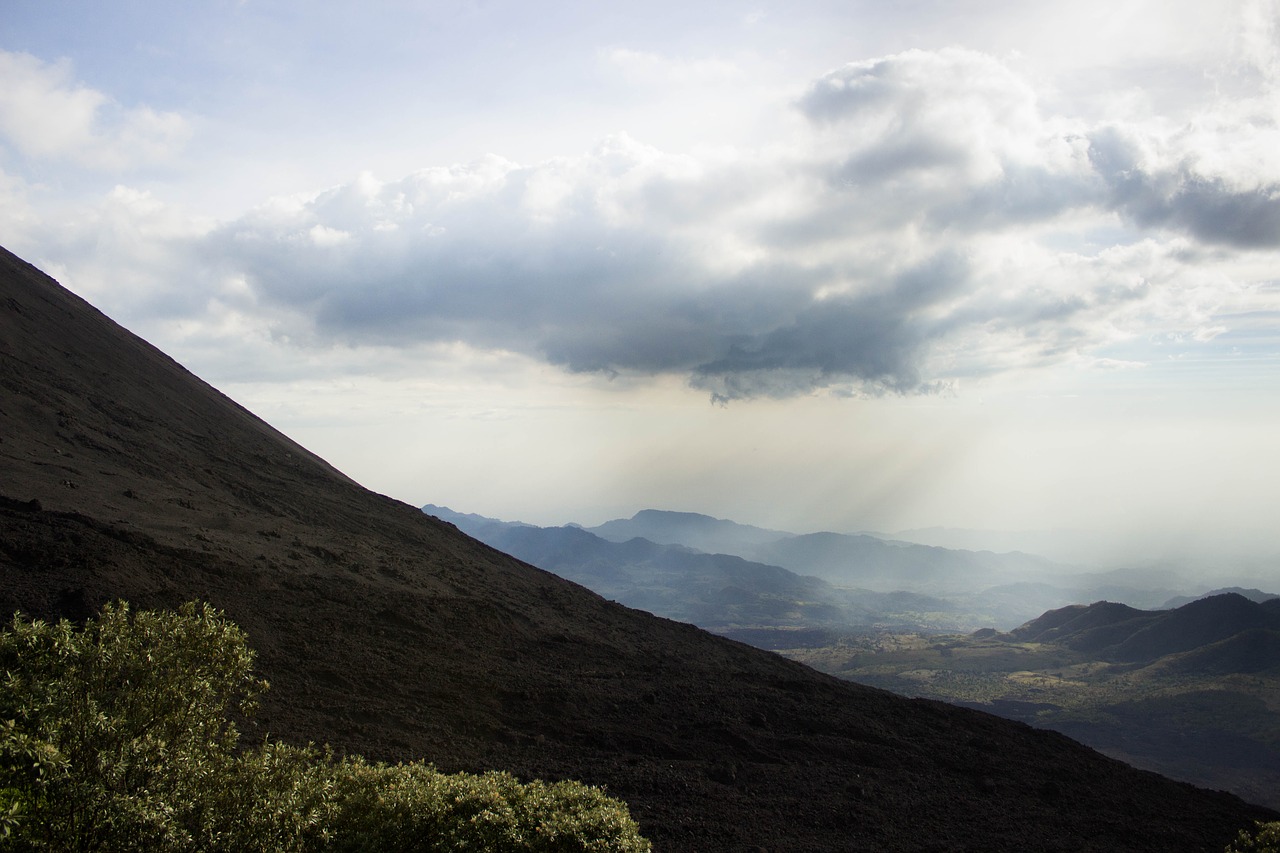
x=764, y=586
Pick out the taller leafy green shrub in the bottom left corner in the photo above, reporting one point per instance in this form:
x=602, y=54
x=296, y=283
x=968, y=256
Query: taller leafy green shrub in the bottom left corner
x=118, y=735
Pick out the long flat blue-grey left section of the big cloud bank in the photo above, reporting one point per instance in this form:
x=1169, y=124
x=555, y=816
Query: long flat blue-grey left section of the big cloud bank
x=580, y=293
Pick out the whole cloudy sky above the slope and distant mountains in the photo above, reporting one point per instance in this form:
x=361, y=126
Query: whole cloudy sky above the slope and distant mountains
x=853, y=266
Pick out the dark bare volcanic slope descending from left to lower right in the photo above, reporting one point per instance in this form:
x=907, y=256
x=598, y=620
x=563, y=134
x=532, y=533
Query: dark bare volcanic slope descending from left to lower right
x=390, y=633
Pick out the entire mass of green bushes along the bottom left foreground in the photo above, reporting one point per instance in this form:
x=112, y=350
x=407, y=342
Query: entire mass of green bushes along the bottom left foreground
x=121, y=736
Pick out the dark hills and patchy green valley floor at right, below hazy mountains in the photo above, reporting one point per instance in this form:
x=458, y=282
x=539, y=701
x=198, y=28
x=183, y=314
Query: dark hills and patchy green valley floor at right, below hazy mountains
x=1188, y=692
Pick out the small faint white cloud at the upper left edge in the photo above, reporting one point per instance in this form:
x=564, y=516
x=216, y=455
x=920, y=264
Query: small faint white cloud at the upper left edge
x=47, y=116
